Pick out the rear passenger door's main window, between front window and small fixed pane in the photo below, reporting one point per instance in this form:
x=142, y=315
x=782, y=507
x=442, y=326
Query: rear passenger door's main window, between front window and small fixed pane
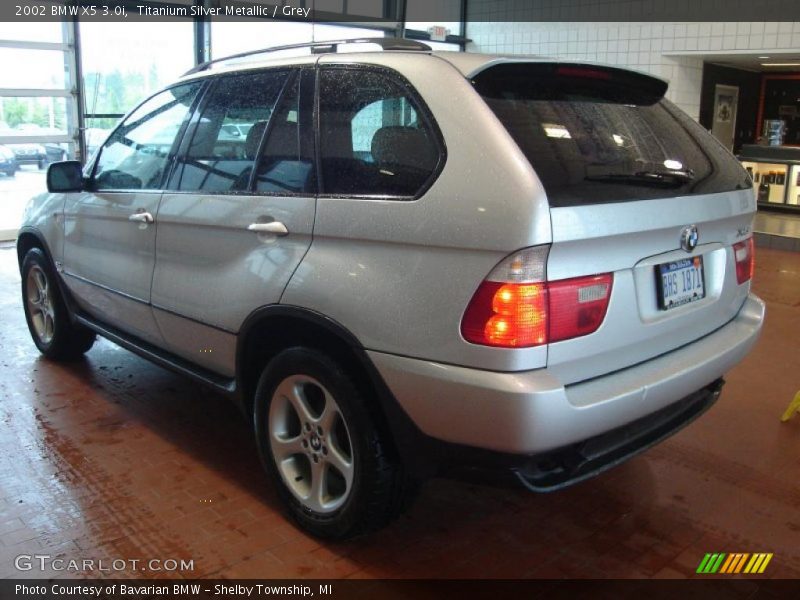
x=228, y=134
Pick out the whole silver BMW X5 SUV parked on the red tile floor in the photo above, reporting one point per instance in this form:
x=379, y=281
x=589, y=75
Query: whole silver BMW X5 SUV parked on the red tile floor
x=409, y=260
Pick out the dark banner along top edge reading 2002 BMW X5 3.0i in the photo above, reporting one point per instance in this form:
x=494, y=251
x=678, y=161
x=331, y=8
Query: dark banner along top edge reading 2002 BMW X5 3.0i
x=383, y=13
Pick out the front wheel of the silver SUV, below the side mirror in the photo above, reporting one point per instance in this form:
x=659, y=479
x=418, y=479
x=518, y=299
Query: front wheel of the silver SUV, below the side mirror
x=46, y=313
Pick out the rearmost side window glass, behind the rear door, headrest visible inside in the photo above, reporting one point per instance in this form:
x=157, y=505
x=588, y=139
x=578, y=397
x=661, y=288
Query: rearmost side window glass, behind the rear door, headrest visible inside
x=372, y=139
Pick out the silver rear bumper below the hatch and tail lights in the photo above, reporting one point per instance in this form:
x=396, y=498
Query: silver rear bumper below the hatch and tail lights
x=532, y=413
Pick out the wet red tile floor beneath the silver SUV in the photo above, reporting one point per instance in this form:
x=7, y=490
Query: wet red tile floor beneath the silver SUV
x=114, y=458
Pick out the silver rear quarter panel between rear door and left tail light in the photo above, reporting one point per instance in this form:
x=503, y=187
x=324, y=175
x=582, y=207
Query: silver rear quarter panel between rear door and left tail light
x=399, y=273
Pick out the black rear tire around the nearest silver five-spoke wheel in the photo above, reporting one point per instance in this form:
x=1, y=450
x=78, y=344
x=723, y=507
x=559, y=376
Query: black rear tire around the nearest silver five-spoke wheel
x=377, y=490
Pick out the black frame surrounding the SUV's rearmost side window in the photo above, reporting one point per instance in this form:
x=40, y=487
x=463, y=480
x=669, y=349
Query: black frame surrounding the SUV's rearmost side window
x=424, y=114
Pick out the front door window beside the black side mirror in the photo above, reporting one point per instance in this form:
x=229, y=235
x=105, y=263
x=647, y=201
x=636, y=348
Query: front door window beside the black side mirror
x=137, y=153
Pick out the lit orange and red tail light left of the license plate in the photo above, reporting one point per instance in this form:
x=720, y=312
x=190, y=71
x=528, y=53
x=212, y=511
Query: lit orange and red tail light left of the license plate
x=515, y=307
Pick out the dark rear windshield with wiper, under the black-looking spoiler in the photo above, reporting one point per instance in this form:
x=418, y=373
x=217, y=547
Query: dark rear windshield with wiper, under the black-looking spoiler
x=596, y=134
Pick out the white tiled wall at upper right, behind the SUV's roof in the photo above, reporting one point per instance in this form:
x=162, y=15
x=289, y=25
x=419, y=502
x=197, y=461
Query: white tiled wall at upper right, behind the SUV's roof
x=643, y=46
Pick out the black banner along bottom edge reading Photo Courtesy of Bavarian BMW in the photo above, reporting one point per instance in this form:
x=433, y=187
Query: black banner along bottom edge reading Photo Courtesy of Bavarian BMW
x=110, y=589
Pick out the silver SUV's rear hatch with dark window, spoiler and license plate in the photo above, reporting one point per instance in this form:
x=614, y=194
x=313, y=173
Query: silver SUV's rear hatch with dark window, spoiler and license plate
x=636, y=189
